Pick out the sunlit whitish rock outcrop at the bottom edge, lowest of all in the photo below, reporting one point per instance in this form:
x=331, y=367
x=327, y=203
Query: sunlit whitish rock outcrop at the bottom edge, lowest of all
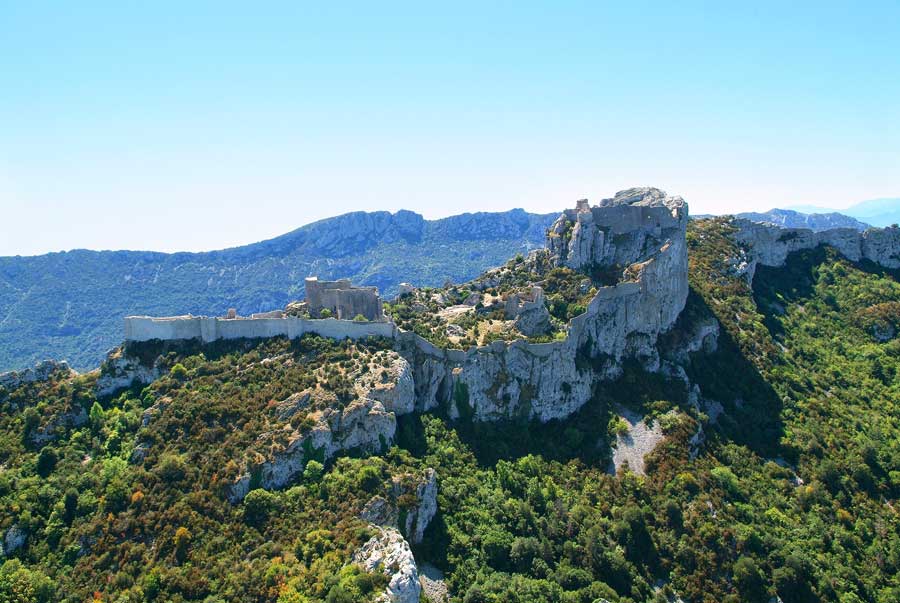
x=389, y=553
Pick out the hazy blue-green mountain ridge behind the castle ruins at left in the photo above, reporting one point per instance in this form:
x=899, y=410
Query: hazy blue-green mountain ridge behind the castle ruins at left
x=70, y=305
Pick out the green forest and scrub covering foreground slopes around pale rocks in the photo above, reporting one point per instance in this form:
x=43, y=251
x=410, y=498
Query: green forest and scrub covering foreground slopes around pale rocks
x=790, y=490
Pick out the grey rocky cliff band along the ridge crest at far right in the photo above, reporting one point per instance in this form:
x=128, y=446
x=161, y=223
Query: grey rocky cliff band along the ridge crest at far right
x=770, y=245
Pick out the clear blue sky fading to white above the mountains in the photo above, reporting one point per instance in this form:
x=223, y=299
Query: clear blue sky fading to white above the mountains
x=190, y=125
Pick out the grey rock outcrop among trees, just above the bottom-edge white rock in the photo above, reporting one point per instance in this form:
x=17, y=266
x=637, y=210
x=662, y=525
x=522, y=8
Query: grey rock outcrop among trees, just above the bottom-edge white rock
x=411, y=505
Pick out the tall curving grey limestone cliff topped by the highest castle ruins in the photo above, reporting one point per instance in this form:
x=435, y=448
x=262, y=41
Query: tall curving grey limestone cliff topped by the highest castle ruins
x=638, y=239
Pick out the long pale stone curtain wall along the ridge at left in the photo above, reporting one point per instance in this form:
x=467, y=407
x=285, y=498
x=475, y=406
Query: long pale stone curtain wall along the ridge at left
x=208, y=328
